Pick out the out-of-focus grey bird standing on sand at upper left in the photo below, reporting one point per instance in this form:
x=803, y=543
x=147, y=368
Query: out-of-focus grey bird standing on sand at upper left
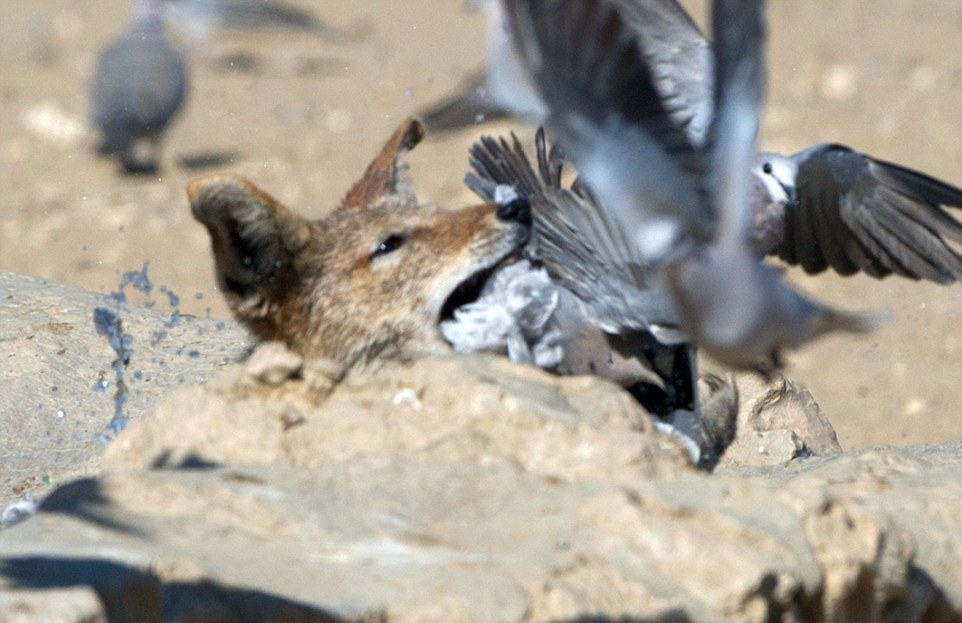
x=138, y=87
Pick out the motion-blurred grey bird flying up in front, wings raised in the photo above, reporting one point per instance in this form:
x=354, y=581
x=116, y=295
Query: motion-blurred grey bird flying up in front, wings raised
x=674, y=215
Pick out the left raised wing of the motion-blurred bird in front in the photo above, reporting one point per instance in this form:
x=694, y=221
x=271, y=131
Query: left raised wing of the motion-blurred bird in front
x=589, y=67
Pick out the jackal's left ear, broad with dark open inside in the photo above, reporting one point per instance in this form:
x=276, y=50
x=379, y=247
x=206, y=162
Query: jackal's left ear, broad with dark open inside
x=255, y=238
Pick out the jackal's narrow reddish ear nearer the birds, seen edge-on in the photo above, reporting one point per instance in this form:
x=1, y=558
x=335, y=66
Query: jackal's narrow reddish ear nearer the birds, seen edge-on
x=387, y=174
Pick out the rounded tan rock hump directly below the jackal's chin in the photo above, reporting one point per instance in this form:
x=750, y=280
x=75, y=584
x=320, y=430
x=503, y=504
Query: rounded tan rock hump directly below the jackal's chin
x=454, y=408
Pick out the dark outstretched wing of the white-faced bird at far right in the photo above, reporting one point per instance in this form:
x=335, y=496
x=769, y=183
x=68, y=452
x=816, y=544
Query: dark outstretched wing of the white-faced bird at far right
x=856, y=213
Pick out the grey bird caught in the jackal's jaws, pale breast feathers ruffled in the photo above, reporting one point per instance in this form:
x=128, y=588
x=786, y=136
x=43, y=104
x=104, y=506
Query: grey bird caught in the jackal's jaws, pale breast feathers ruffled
x=547, y=322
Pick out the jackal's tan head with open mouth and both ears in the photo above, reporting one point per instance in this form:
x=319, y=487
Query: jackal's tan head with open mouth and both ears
x=372, y=279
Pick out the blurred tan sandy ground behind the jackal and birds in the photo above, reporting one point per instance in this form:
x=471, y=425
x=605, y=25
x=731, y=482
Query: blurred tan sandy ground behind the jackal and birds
x=303, y=116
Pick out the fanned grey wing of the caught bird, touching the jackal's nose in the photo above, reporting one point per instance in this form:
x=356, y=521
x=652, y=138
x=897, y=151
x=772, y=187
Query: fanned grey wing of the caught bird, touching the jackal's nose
x=583, y=249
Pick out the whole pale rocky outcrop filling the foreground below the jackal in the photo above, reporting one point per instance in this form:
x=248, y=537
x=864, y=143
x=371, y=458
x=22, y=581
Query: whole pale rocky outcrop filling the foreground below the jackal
x=472, y=489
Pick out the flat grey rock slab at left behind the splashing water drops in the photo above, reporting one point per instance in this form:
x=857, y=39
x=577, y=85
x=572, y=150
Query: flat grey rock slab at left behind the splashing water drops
x=59, y=387
